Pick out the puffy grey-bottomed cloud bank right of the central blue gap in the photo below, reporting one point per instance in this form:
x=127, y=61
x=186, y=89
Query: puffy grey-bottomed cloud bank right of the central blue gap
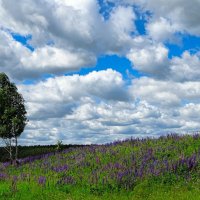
x=153, y=60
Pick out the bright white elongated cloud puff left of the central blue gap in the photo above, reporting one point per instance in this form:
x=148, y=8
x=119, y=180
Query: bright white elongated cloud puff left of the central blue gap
x=53, y=60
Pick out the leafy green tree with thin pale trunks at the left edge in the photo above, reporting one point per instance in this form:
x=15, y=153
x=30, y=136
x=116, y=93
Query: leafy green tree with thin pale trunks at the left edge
x=12, y=115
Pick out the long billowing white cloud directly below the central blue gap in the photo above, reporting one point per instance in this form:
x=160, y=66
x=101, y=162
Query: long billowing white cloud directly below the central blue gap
x=58, y=95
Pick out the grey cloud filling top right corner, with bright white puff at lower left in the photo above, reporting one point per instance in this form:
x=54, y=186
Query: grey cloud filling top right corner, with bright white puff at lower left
x=173, y=15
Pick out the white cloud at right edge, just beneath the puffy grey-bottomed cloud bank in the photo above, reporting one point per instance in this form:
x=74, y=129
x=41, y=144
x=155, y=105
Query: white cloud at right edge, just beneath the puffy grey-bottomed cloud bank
x=163, y=93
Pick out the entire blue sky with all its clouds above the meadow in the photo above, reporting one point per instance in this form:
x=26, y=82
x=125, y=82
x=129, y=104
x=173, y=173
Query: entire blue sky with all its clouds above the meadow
x=96, y=71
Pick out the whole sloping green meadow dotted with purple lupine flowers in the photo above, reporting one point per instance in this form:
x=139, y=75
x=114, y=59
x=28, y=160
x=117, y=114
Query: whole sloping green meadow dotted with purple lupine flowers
x=164, y=168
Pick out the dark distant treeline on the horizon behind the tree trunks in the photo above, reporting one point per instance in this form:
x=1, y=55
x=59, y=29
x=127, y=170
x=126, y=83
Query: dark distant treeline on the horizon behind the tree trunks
x=26, y=151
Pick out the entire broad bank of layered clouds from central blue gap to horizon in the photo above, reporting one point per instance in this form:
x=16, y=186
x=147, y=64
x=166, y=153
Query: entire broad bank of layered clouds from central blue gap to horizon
x=104, y=110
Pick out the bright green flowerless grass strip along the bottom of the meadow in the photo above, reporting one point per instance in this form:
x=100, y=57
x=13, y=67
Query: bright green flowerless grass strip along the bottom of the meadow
x=144, y=191
